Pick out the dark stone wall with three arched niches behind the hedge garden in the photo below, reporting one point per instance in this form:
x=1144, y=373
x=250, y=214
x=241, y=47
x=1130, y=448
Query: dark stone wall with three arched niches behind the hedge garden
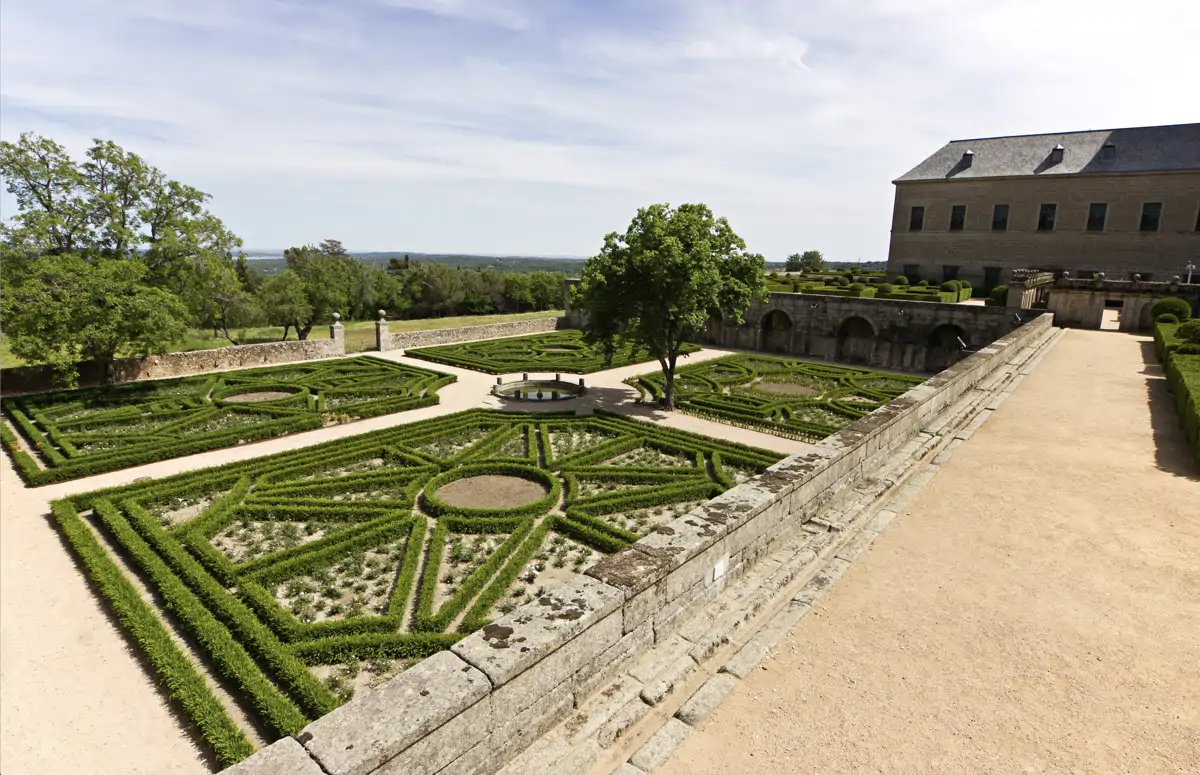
x=916, y=337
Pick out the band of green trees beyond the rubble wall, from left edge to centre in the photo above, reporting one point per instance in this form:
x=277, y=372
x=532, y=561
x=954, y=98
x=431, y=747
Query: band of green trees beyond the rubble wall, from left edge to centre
x=107, y=257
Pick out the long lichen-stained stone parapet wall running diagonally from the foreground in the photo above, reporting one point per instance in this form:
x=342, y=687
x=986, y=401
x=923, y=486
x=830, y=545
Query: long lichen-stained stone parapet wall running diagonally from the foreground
x=473, y=708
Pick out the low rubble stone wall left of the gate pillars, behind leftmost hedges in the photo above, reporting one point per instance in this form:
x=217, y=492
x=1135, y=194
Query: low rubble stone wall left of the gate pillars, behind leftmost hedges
x=23, y=380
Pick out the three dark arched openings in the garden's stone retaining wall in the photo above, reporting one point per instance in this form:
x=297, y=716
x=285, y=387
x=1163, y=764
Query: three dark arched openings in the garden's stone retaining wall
x=857, y=341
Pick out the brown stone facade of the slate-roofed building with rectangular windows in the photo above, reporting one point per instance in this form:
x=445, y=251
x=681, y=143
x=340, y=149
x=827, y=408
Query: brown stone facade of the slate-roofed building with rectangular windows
x=1120, y=250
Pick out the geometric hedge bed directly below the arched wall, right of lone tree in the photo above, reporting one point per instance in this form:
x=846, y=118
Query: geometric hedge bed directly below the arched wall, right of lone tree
x=782, y=396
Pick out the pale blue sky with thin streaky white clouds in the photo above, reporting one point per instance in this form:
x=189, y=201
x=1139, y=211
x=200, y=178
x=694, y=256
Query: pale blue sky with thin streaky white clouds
x=538, y=127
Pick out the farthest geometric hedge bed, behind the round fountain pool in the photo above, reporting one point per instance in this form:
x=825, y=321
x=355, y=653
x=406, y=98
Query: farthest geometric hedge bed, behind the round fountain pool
x=556, y=352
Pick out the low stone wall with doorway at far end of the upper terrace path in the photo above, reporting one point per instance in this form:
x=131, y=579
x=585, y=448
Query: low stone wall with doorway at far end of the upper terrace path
x=1082, y=303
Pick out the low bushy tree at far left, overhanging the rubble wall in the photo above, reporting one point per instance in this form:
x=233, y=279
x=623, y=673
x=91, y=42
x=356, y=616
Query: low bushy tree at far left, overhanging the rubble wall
x=65, y=310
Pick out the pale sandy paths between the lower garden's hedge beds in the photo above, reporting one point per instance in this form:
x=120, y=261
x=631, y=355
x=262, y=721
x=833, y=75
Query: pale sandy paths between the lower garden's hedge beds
x=74, y=699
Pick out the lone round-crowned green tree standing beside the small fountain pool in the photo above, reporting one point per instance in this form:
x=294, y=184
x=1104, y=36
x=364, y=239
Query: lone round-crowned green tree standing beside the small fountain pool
x=661, y=283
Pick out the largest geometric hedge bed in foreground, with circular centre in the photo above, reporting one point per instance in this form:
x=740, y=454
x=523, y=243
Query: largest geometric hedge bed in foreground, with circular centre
x=304, y=575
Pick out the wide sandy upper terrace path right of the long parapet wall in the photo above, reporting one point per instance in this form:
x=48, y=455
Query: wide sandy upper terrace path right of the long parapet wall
x=1037, y=610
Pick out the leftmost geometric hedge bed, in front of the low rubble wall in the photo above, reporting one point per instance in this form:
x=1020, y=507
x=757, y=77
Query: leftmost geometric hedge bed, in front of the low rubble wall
x=85, y=432
